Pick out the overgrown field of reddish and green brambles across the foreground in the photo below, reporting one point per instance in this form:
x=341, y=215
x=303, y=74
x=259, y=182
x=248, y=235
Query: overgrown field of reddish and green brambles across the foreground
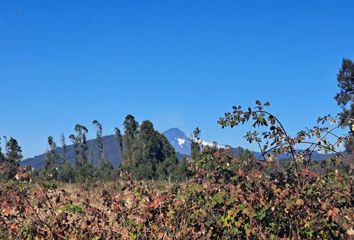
x=222, y=199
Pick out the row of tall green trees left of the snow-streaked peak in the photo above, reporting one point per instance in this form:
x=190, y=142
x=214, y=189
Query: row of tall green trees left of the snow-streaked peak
x=146, y=154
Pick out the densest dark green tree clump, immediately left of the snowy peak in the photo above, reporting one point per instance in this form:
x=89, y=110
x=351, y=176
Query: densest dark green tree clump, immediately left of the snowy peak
x=147, y=153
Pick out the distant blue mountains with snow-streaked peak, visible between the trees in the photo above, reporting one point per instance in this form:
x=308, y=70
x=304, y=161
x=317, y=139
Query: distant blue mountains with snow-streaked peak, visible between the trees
x=178, y=139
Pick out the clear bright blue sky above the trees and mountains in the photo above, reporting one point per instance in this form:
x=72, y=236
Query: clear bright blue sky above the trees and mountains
x=178, y=63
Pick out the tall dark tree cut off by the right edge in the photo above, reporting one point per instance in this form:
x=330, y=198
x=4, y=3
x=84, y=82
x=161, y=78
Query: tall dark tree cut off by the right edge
x=345, y=99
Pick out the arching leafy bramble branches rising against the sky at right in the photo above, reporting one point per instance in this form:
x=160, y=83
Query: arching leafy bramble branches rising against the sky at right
x=274, y=140
